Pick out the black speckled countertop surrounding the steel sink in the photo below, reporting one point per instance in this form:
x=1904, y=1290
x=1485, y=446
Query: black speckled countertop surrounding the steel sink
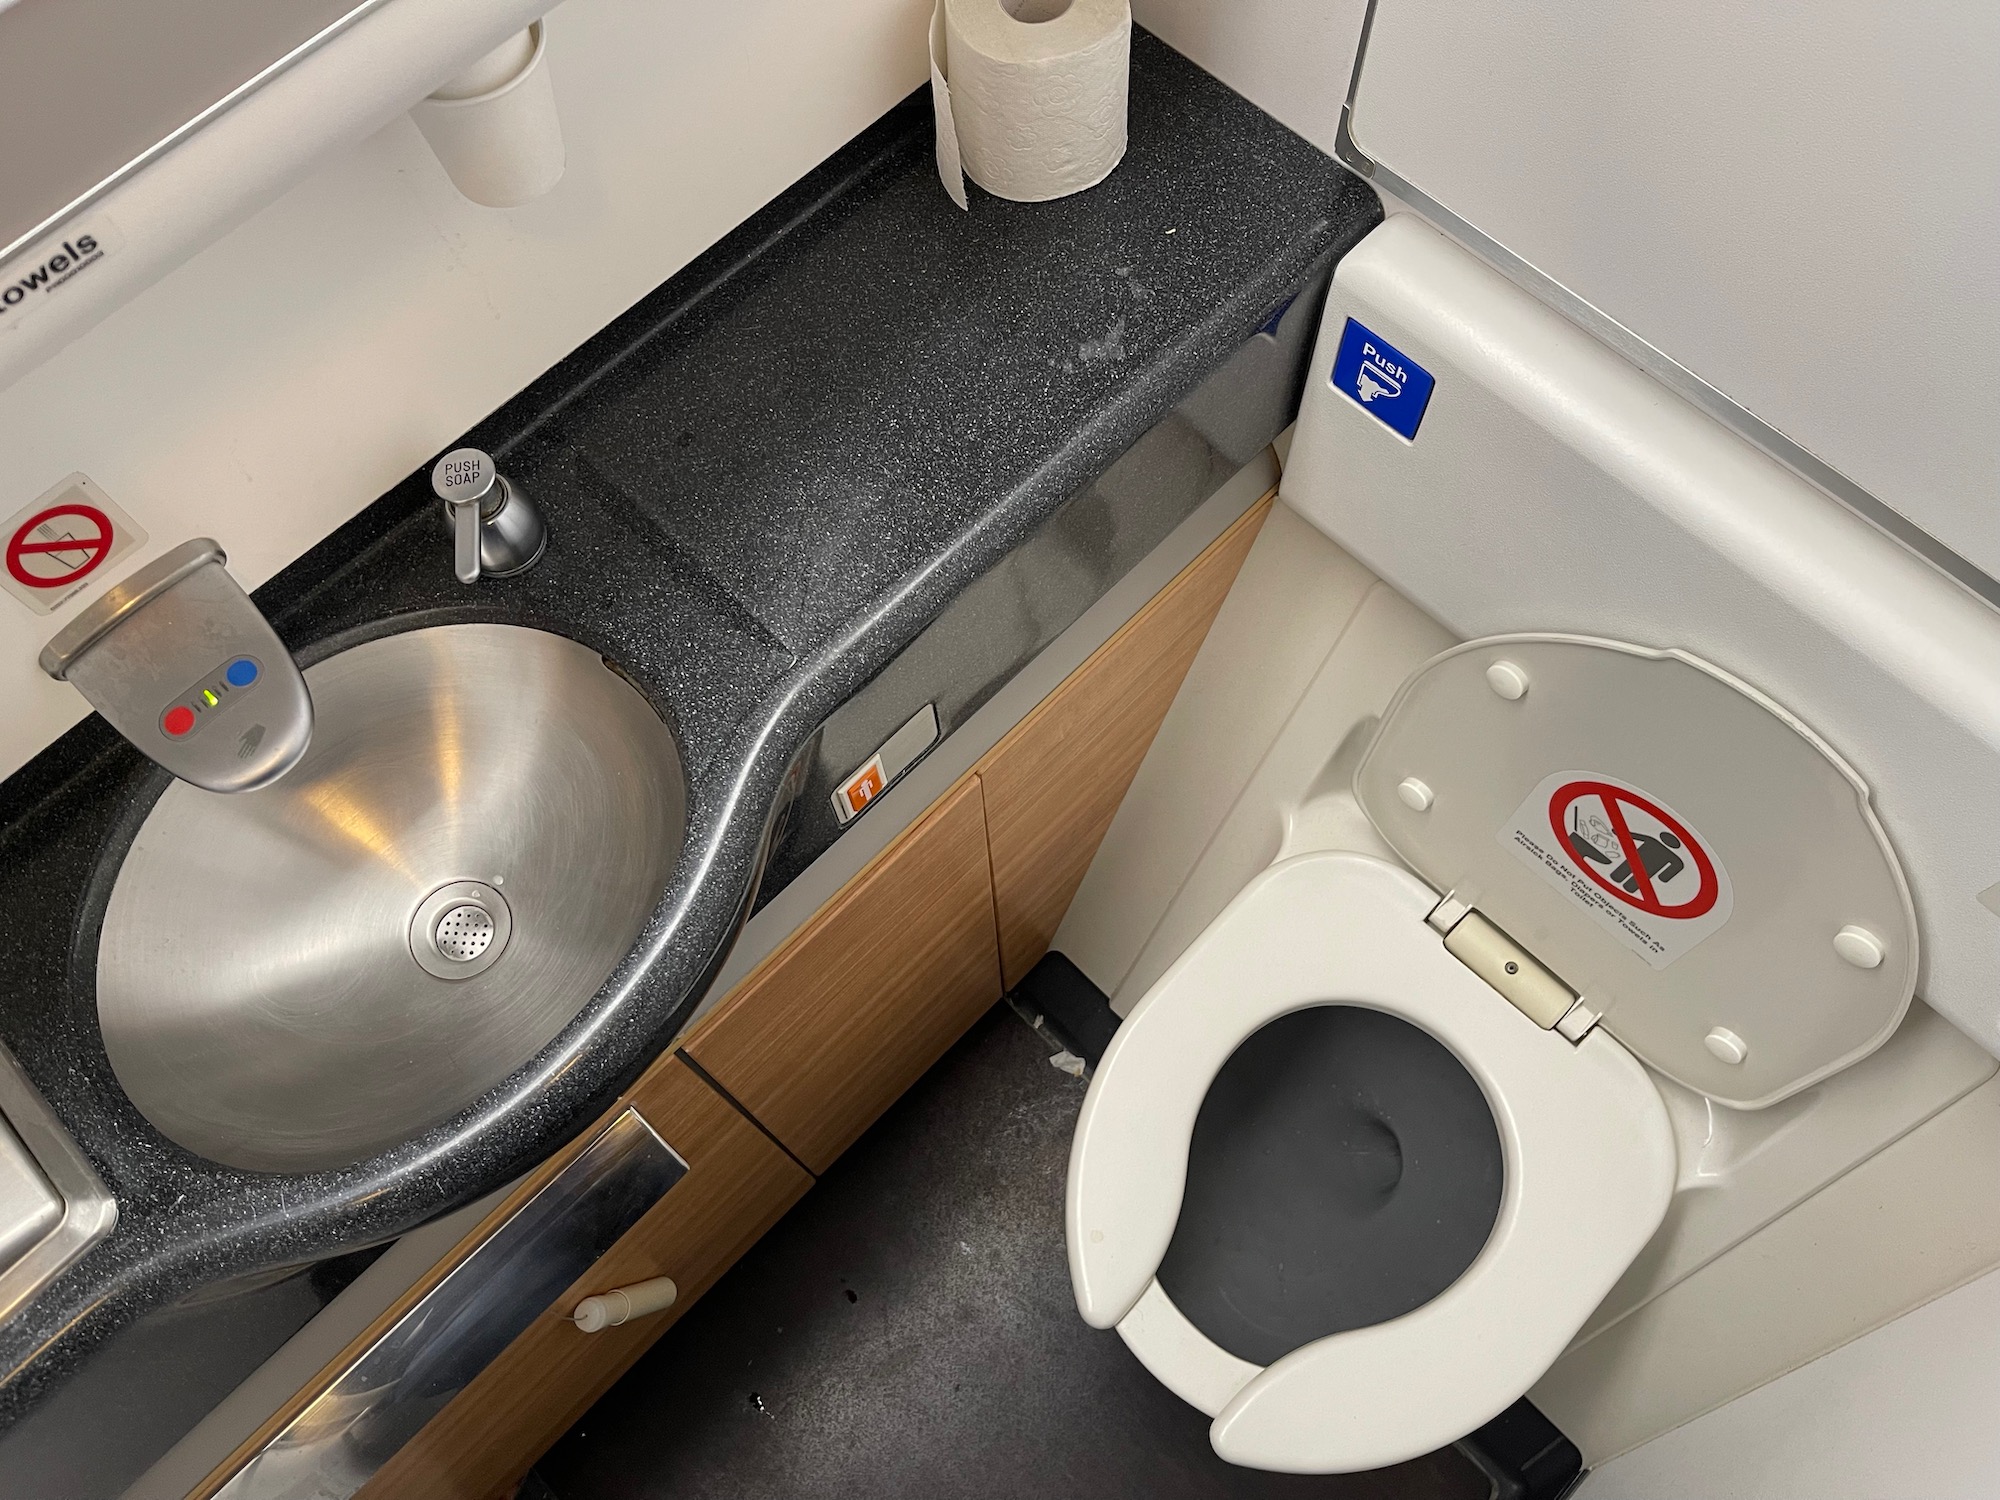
x=761, y=485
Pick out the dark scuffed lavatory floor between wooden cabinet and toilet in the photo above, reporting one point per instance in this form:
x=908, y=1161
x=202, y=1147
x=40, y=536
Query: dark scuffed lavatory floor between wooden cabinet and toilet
x=909, y=1331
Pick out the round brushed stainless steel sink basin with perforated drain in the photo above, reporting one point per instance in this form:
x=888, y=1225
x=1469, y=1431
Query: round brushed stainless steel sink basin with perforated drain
x=307, y=975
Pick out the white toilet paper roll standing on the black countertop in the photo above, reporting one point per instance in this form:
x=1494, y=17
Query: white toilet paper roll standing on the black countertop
x=1031, y=95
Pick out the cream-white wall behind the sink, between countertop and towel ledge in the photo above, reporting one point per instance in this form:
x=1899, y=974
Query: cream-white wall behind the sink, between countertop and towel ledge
x=293, y=371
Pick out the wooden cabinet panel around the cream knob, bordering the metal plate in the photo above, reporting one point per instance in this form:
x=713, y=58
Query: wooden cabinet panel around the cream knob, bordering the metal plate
x=737, y=1187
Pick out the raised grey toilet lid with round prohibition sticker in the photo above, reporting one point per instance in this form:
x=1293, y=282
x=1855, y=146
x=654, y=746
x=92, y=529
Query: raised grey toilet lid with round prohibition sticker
x=1681, y=851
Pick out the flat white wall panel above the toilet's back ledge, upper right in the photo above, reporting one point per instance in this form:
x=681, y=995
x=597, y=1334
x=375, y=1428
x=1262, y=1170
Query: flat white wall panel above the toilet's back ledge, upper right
x=1797, y=203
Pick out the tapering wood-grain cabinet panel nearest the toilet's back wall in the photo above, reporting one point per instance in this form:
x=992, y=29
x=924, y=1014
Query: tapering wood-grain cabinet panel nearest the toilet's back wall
x=1057, y=779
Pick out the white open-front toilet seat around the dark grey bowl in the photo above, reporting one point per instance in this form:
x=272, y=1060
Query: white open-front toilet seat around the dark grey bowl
x=1589, y=1175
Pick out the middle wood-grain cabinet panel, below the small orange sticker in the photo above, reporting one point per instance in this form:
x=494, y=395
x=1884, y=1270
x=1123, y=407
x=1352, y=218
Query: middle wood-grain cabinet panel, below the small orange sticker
x=851, y=1011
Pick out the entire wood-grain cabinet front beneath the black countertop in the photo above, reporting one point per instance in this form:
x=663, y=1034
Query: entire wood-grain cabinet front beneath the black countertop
x=825, y=1035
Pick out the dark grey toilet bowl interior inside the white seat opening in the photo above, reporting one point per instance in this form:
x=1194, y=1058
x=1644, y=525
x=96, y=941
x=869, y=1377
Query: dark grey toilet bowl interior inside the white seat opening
x=1345, y=1171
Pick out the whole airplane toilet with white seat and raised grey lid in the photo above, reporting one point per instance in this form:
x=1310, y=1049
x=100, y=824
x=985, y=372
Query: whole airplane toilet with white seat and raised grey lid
x=1363, y=1163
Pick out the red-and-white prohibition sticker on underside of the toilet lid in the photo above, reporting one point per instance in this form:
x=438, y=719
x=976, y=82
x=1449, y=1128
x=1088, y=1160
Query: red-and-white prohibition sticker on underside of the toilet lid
x=1627, y=859
